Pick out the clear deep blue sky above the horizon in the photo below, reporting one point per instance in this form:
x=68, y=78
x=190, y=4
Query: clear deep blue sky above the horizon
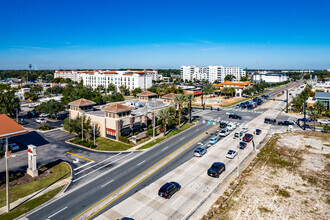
x=164, y=34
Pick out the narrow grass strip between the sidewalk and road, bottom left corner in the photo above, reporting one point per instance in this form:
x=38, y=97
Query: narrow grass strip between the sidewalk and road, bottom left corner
x=30, y=204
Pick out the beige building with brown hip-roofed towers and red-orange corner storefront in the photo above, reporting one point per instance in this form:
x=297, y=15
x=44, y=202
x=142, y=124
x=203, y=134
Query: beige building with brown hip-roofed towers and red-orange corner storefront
x=113, y=120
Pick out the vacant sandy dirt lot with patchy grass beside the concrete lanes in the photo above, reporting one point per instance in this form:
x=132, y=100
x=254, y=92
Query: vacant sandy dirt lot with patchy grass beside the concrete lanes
x=288, y=180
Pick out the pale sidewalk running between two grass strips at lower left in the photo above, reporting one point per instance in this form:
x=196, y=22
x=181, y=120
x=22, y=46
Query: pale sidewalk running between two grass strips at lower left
x=35, y=195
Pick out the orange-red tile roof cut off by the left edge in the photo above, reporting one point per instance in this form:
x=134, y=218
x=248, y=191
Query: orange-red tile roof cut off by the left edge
x=9, y=127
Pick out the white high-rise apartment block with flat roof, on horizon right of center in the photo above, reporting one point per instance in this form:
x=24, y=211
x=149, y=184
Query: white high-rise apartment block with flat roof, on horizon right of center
x=211, y=73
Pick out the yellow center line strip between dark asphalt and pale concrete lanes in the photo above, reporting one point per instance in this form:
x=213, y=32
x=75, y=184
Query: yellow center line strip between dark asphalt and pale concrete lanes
x=189, y=144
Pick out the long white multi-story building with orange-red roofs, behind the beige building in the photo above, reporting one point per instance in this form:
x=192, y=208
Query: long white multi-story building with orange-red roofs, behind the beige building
x=130, y=79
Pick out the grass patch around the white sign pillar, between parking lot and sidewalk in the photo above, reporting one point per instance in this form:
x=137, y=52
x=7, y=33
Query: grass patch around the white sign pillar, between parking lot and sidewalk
x=58, y=172
